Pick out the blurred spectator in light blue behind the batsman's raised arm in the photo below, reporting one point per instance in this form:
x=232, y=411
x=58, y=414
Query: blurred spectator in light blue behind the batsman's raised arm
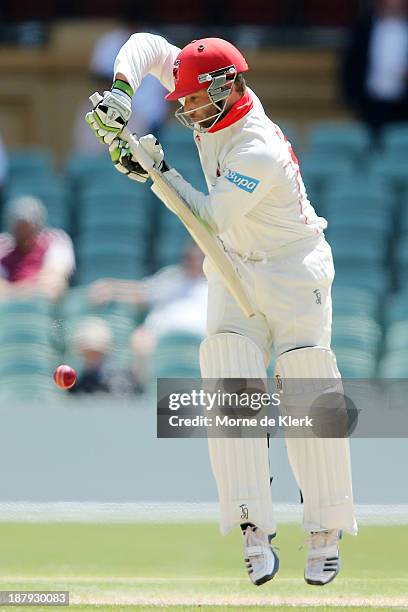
x=149, y=106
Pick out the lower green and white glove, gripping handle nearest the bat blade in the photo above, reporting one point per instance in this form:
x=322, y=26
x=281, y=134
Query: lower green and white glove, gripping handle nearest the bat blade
x=125, y=162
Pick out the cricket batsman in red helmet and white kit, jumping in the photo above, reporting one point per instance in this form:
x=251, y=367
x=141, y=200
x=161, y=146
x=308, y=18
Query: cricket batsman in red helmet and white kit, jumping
x=258, y=206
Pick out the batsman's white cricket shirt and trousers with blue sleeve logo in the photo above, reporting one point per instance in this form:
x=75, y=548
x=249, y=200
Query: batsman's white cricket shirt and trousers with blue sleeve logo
x=258, y=206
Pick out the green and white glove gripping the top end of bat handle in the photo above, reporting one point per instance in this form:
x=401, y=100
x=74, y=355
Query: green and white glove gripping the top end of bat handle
x=112, y=112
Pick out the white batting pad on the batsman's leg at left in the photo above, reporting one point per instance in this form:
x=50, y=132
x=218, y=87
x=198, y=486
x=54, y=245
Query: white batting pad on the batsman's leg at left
x=240, y=466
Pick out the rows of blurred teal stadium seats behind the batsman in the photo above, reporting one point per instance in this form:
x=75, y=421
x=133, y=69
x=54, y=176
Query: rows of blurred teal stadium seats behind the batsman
x=121, y=230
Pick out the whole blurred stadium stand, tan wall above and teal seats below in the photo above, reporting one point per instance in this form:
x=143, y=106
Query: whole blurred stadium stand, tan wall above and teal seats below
x=121, y=230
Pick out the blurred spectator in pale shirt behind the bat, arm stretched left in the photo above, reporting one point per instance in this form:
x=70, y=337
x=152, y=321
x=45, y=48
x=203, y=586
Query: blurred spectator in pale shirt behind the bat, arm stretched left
x=177, y=296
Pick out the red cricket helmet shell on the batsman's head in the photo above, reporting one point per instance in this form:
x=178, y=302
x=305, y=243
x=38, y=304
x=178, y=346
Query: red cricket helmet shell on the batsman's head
x=201, y=61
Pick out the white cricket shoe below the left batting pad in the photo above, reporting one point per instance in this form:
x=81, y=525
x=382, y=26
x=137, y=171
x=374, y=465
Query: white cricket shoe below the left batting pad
x=260, y=558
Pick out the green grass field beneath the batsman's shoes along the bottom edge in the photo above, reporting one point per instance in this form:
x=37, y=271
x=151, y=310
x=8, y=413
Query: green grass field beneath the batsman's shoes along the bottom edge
x=188, y=567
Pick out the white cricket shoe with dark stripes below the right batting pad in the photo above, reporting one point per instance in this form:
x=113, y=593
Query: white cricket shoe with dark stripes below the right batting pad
x=323, y=558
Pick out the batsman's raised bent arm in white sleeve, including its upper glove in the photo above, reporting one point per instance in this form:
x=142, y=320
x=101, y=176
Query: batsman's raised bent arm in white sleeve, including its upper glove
x=142, y=54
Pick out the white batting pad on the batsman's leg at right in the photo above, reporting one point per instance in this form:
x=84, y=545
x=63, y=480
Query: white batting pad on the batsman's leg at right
x=321, y=466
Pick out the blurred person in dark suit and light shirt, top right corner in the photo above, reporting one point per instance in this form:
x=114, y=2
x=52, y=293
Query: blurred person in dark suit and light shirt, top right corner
x=375, y=67
